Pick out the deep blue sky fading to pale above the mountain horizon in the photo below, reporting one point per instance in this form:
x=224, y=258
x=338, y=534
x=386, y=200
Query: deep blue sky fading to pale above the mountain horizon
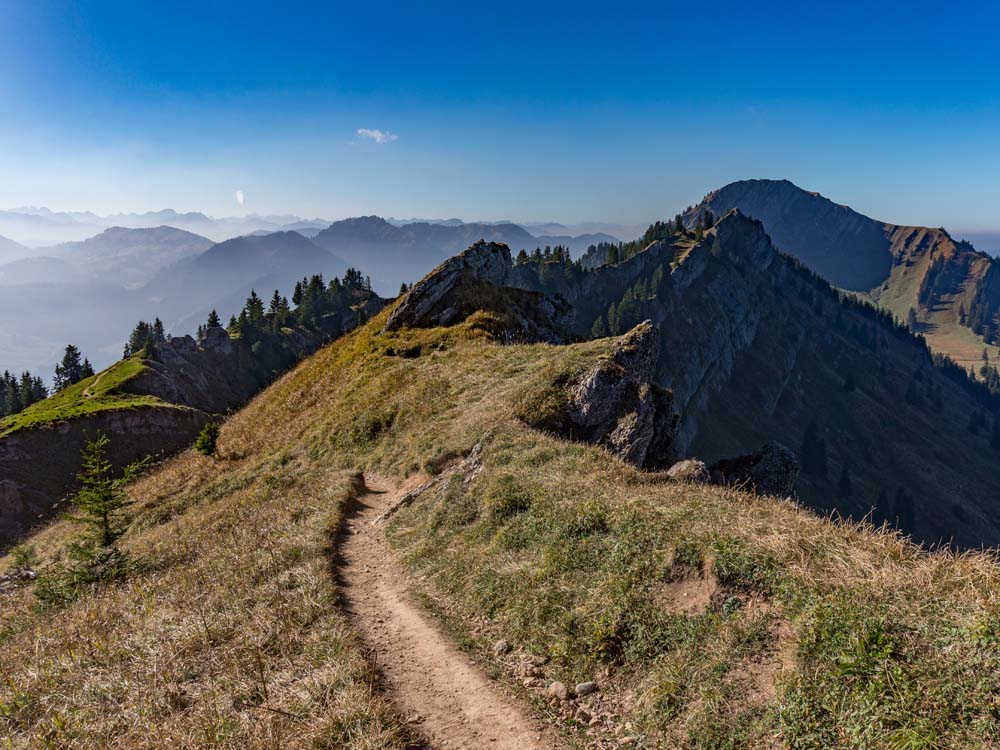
x=589, y=111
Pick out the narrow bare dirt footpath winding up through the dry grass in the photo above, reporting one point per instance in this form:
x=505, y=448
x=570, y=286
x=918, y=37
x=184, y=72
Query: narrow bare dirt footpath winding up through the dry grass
x=434, y=685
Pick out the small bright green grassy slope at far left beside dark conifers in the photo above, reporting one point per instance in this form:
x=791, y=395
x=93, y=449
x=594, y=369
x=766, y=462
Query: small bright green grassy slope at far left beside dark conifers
x=97, y=393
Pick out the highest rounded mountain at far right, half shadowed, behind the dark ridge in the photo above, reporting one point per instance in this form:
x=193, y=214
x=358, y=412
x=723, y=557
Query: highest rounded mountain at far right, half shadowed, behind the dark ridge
x=951, y=288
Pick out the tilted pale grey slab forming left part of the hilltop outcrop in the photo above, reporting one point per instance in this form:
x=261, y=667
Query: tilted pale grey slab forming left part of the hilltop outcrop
x=483, y=261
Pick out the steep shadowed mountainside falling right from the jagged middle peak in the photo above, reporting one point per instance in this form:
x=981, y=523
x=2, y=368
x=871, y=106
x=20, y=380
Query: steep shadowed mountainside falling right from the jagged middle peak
x=754, y=347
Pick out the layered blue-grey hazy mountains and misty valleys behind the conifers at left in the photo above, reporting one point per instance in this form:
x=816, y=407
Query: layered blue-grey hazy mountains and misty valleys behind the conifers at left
x=91, y=290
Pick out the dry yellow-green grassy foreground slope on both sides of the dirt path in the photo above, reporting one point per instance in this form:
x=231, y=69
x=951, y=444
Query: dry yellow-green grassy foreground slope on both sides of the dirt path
x=554, y=545
